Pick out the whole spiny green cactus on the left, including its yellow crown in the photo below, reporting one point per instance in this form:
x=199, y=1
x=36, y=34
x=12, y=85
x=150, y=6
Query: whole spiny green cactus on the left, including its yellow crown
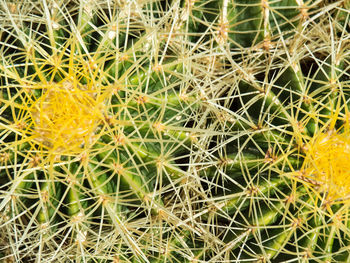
x=98, y=120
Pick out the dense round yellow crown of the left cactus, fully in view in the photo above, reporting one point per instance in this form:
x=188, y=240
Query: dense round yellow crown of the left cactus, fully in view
x=65, y=117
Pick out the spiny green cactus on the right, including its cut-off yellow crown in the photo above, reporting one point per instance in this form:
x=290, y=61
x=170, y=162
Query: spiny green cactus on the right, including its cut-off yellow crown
x=286, y=162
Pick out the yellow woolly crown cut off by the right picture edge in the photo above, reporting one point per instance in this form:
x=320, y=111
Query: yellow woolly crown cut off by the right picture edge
x=327, y=160
